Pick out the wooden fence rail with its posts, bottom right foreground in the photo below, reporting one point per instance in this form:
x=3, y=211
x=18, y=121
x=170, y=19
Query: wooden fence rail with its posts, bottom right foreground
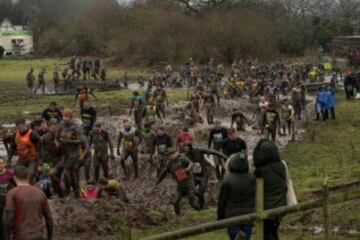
x=324, y=201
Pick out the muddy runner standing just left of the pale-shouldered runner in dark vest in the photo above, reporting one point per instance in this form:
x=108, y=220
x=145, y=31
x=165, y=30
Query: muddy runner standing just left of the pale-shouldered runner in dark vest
x=100, y=141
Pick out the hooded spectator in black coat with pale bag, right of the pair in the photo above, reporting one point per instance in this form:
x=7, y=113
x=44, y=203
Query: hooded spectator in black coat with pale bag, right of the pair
x=270, y=168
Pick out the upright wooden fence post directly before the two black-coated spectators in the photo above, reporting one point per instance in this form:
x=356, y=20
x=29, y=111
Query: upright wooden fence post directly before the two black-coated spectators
x=259, y=208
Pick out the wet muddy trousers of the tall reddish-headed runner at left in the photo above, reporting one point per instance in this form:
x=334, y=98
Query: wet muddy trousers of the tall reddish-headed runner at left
x=71, y=177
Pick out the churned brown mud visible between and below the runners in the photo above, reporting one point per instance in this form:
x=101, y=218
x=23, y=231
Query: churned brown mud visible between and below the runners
x=148, y=207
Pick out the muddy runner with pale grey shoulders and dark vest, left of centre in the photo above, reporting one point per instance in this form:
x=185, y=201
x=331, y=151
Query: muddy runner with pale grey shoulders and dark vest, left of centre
x=128, y=139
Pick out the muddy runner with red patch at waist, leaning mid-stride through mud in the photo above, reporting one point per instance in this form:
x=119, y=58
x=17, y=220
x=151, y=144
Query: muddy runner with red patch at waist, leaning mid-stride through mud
x=180, y=167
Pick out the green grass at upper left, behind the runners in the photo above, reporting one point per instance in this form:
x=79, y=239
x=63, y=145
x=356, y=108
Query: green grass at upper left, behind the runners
x=16, y=101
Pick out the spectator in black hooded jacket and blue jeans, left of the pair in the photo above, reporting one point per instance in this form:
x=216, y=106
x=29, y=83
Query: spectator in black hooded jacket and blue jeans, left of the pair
x=237, y=195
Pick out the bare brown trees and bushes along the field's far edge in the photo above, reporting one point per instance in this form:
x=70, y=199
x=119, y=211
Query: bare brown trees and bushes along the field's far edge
x=150, y=31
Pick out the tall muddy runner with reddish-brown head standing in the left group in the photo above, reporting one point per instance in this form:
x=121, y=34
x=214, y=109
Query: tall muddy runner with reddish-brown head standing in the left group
x=70, y=139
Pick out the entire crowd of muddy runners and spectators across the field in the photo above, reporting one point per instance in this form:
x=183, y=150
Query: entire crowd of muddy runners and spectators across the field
x=53, y=150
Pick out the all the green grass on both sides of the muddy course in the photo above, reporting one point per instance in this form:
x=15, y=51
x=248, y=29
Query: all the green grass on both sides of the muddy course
x=333, y=152
